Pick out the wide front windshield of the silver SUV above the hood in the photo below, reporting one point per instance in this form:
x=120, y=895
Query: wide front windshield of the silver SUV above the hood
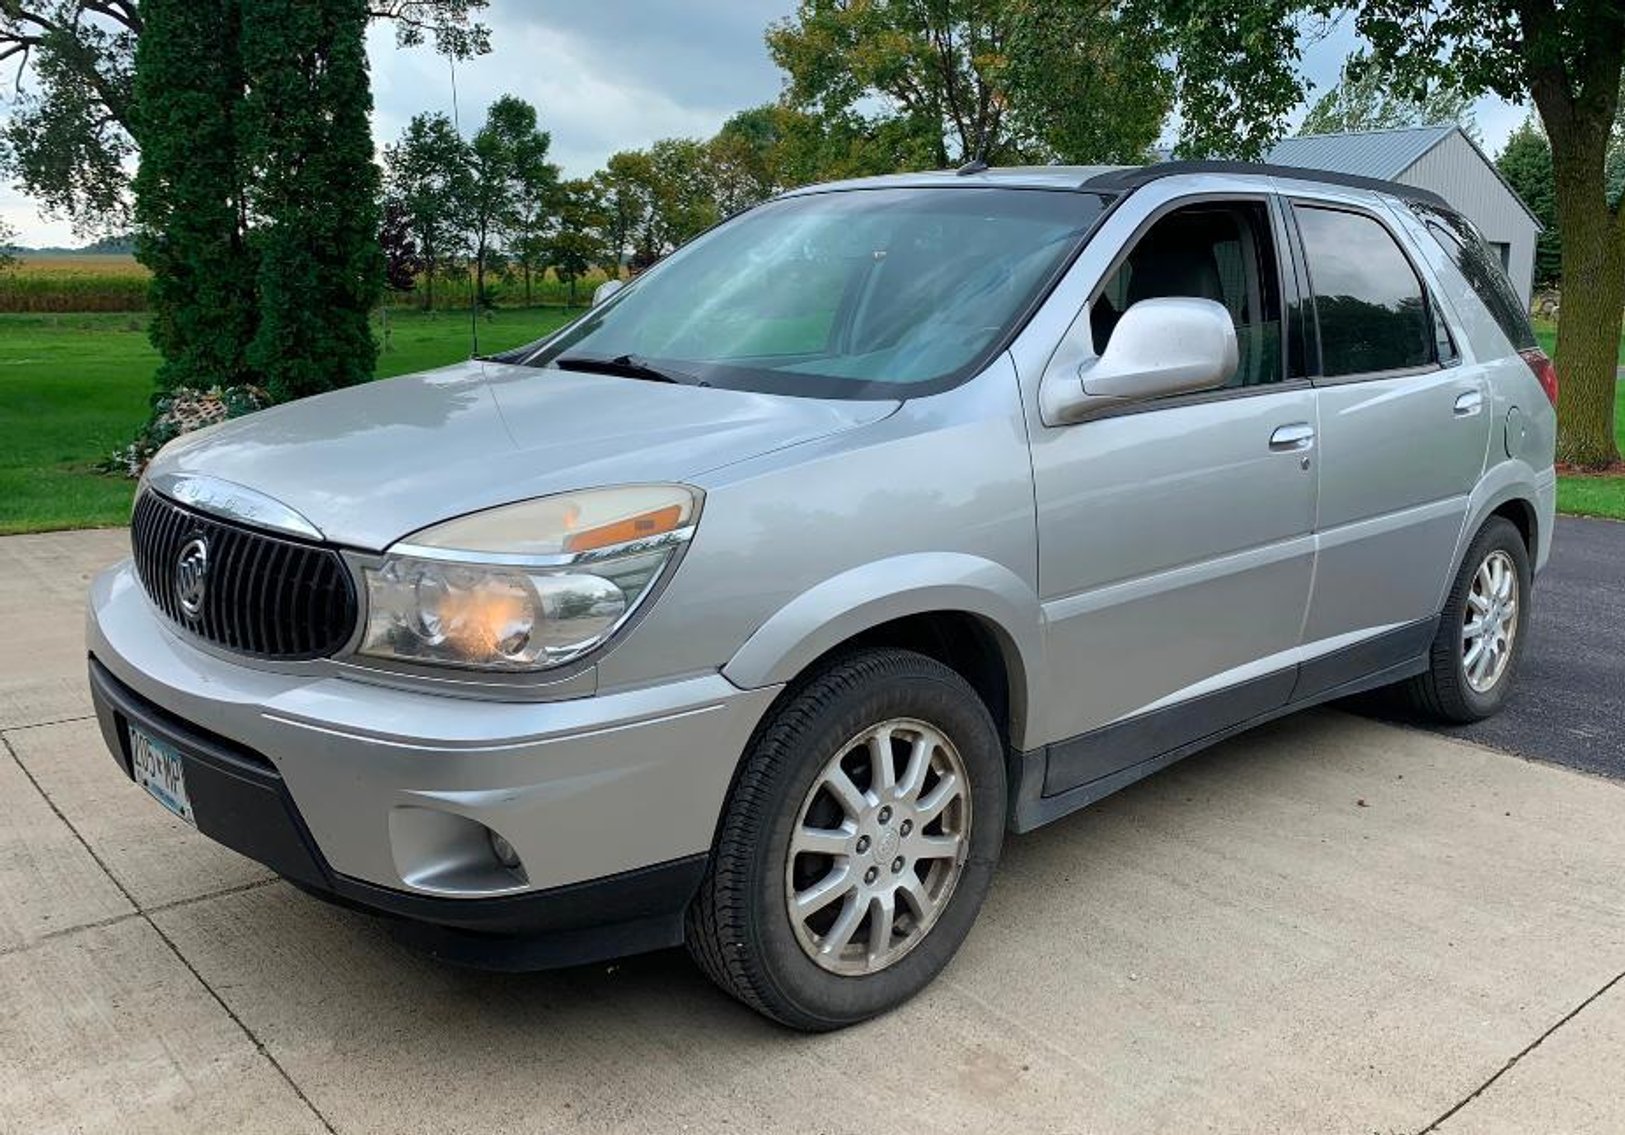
x=878, y=294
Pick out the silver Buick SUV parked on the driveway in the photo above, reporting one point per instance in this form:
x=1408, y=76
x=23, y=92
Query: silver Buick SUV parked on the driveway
x=756, y=606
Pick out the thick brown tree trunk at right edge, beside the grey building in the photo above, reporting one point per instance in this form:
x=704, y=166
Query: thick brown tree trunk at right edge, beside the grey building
x=1588, y=333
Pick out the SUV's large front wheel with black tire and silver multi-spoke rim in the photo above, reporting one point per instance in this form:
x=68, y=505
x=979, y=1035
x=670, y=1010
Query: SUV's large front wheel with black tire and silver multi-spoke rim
x=740, y=926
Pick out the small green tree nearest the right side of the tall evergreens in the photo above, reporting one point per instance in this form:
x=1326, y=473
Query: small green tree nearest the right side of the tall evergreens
x=428, y=180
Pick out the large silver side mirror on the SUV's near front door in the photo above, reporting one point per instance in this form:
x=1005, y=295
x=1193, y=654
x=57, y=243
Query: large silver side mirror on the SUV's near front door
x=1159, y=347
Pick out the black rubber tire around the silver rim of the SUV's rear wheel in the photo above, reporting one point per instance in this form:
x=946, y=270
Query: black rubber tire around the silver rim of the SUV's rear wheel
x=1447, y=692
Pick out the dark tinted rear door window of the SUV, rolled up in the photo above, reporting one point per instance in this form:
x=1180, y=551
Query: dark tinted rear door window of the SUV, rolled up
x=1367, y=297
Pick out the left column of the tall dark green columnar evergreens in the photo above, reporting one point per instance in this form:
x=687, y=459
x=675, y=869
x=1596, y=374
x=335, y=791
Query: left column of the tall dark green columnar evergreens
x=191, y=207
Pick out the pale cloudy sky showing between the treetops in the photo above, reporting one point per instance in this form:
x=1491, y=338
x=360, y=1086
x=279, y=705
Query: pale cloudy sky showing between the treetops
x=610, y=77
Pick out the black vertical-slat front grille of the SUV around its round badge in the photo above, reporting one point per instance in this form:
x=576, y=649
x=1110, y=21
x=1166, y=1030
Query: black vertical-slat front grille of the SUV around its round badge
x=264, y=596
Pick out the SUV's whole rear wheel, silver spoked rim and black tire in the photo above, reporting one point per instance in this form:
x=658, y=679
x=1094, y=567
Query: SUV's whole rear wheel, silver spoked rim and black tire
x=1483, y=630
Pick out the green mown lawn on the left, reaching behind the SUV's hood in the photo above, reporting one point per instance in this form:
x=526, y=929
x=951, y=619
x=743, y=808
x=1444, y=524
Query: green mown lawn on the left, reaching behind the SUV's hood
x=76, y=388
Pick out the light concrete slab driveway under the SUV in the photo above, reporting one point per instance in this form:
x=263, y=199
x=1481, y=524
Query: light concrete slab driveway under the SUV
x=1330, y=926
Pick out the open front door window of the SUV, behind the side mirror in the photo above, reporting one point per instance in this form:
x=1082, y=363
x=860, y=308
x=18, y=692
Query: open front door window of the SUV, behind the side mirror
x=1221, y=253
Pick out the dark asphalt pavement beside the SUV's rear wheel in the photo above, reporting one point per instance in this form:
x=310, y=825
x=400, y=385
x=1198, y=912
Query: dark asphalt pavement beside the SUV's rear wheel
x=1569, y=705
